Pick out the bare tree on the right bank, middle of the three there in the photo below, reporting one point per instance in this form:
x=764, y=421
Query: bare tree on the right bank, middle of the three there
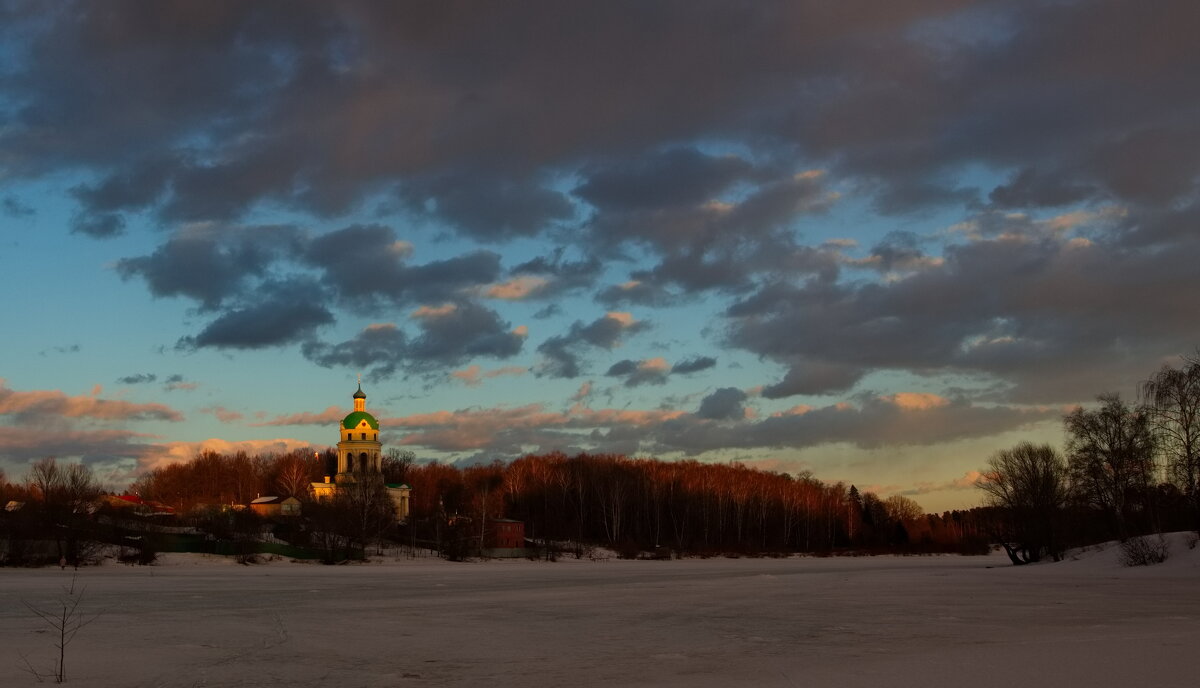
x=1112, y=457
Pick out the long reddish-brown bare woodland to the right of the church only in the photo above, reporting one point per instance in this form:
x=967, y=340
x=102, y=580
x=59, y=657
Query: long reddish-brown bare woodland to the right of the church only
x=683, y=506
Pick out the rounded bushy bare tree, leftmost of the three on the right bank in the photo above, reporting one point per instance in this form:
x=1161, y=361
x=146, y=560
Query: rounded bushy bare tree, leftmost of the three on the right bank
x=1030, y=484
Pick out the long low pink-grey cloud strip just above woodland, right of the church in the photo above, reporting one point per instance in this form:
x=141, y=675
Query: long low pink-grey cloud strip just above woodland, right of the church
x=722, y=424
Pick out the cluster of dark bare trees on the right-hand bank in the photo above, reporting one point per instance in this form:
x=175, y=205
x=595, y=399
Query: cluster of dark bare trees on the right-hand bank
x=1126, y=471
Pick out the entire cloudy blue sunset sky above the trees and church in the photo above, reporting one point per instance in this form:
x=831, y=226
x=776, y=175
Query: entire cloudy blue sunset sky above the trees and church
x=872, y=242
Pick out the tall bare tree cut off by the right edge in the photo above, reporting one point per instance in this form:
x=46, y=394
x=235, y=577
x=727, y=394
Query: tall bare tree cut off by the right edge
x=1173, y=400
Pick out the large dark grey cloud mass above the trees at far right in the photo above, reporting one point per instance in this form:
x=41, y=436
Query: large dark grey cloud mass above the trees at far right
x=1039, y=313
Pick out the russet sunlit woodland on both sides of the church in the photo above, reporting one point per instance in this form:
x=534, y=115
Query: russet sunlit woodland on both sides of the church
x=628, y=504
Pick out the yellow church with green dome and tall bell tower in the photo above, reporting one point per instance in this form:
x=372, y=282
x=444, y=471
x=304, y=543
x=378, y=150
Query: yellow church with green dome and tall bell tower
x=361, y=453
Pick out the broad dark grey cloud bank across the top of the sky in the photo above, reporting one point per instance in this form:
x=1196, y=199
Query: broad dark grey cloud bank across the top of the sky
x=317, y=106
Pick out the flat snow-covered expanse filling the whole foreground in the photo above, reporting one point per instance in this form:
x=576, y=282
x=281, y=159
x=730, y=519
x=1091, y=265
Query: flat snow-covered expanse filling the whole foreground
x=845, y=623
